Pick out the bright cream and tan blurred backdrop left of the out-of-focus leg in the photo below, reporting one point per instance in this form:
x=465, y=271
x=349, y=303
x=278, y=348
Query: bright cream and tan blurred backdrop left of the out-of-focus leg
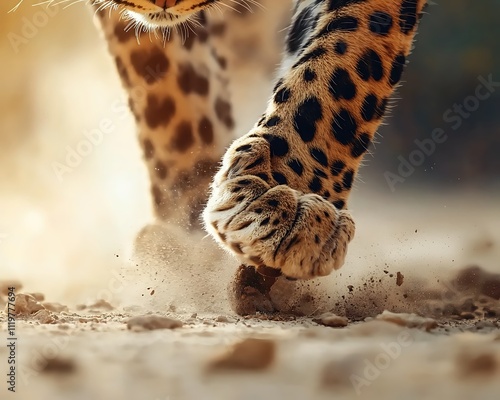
x=58, y=84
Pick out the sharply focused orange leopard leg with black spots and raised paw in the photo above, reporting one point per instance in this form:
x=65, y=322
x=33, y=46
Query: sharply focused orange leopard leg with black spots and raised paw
x=279, y=199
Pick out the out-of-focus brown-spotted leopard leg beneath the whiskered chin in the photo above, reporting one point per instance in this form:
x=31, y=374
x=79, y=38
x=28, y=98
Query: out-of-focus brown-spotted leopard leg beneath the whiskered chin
x=168, y=88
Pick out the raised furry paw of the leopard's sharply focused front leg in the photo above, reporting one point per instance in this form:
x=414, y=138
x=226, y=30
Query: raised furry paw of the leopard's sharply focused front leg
x=302, y=235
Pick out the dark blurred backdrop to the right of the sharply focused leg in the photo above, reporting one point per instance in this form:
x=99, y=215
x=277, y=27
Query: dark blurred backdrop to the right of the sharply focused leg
x=456, y=49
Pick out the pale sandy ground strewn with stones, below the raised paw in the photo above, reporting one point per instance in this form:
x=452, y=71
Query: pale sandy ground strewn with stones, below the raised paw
x=105, y=354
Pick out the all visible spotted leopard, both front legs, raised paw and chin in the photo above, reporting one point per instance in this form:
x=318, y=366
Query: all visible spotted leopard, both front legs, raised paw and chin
x=279, y=198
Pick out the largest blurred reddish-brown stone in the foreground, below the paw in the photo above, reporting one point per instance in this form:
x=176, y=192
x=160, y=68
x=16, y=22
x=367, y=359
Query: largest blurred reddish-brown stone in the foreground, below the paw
x=249, y=354
